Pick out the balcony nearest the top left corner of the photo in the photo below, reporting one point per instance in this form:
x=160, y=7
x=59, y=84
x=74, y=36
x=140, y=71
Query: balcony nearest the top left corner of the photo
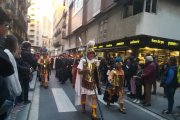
x=10, y=7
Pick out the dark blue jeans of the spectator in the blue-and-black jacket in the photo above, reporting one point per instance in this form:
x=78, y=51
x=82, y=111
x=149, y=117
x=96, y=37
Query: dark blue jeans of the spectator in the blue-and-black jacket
x=170, y=97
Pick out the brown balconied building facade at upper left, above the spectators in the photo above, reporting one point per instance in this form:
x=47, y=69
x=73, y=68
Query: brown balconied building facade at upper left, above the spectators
x=17, y=9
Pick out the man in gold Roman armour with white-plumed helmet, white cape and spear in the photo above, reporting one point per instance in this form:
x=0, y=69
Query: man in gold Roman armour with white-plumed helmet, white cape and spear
x=84, y=87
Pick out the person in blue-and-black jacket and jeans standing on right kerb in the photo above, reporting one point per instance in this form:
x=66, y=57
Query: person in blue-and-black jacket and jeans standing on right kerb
x=171, y=83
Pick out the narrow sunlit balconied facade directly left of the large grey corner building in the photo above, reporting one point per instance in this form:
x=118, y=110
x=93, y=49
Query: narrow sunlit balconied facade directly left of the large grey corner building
x=59, y=27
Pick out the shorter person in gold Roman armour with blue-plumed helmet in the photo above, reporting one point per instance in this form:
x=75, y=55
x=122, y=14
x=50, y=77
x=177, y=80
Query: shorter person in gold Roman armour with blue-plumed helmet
x=114, y=89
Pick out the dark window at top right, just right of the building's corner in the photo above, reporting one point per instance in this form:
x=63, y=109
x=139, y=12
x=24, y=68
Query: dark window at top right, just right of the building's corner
x=151, y=6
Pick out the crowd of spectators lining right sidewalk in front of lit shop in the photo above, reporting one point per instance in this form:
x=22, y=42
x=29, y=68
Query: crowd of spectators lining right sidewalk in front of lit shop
x=137, y=74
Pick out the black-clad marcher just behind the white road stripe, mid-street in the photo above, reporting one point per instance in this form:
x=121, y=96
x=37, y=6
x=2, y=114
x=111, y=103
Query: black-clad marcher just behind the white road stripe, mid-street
x=62, y=67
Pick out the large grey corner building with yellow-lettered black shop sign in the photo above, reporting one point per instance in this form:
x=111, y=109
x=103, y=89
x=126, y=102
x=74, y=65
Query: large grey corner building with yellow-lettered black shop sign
x=137, y=26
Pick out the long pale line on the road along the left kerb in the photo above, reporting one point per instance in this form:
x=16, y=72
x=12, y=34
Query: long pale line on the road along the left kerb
x=34, y=112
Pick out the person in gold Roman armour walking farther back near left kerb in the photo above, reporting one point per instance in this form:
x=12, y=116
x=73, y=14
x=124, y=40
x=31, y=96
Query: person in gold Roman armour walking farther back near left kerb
x=45, y=64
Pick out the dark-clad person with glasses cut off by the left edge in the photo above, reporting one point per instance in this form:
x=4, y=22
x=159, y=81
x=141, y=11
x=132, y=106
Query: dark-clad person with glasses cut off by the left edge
x=5, y=65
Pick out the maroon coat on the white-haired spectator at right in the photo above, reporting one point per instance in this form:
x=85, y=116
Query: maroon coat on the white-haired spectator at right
x=149, y=73
